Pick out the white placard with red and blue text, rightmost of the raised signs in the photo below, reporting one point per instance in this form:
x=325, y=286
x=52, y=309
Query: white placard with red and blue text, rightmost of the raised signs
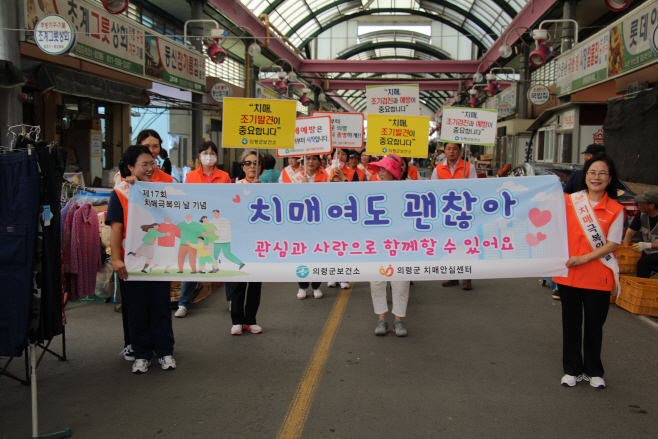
x=469, y=125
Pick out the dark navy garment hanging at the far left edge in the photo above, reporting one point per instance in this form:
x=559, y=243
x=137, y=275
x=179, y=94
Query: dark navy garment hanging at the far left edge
x=19, y=198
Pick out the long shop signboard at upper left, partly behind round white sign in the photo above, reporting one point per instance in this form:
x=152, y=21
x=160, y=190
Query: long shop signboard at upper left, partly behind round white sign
x=119, y=43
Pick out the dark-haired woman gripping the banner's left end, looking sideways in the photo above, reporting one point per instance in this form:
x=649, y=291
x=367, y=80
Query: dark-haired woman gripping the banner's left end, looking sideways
x=146, y=303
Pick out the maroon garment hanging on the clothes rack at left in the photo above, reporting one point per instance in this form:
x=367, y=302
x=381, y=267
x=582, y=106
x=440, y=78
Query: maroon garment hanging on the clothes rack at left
x=85, y=251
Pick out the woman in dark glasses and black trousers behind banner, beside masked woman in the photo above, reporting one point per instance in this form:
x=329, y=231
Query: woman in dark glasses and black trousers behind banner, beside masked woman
x=243, y=315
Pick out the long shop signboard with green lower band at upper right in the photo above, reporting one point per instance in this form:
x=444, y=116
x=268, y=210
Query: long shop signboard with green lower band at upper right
x=622, y=47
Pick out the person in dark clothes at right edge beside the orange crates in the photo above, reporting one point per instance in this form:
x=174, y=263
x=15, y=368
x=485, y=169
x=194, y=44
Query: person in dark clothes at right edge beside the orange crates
x=647, y=223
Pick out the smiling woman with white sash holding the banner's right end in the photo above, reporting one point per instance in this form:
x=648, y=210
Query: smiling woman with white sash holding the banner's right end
x=594, y=226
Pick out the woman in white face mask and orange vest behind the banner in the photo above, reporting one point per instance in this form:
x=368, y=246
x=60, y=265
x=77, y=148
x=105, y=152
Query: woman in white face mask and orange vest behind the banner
x=206, y=173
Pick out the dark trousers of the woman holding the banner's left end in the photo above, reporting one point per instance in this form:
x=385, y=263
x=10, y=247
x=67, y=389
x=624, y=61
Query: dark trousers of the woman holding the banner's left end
x=149, y=317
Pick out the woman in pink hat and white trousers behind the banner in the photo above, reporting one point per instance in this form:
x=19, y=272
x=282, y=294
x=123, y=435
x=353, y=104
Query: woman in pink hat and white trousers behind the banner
x=390, y=169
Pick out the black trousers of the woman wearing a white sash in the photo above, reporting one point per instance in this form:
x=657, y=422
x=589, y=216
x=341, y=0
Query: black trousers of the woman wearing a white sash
x=593, y=304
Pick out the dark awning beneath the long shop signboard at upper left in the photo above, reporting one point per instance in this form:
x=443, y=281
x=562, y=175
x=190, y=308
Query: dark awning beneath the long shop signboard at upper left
x=79, y=84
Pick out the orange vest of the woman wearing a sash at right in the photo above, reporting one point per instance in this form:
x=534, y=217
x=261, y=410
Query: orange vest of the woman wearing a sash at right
x=592, y=275
